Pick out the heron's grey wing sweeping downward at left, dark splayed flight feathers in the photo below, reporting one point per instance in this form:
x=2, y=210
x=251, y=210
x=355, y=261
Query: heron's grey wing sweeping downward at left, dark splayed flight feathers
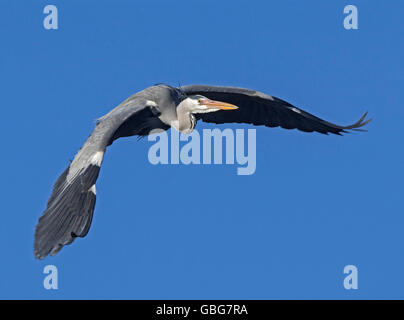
x=70, y=208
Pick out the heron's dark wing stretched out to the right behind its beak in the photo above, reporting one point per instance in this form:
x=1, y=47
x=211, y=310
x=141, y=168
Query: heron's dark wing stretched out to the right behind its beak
x=261, y=109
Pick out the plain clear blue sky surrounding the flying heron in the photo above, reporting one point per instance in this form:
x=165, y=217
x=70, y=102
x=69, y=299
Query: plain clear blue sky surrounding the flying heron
x=315, y=204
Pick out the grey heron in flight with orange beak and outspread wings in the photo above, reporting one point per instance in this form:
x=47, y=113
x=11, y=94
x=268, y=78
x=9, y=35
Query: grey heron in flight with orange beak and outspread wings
x=69, y=211
